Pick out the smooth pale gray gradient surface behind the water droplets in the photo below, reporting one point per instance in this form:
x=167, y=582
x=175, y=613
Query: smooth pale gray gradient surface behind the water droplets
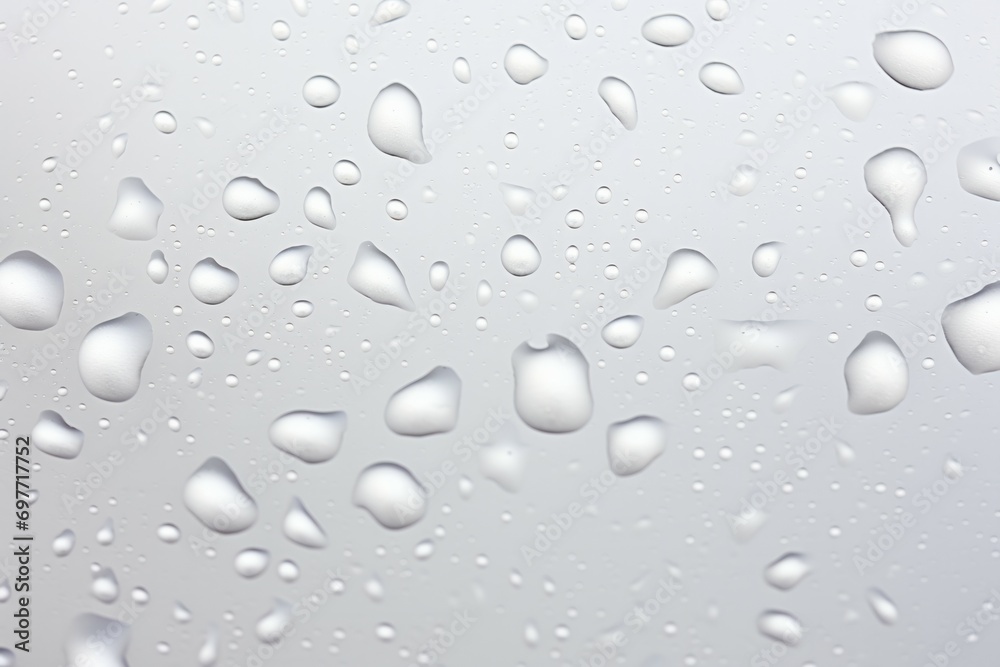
x=940, y=571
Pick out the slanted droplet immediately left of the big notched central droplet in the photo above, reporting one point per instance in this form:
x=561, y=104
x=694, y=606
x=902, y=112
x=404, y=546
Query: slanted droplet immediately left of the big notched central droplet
x=427, y=405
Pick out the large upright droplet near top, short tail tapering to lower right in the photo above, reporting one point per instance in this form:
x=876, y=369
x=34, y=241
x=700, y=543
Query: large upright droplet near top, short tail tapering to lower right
x=395, y=124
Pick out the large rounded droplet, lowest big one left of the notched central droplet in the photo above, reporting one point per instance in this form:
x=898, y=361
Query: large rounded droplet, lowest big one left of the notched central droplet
x=391, y=494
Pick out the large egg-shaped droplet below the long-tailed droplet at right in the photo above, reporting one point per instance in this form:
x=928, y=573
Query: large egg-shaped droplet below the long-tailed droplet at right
x=876, y=374
